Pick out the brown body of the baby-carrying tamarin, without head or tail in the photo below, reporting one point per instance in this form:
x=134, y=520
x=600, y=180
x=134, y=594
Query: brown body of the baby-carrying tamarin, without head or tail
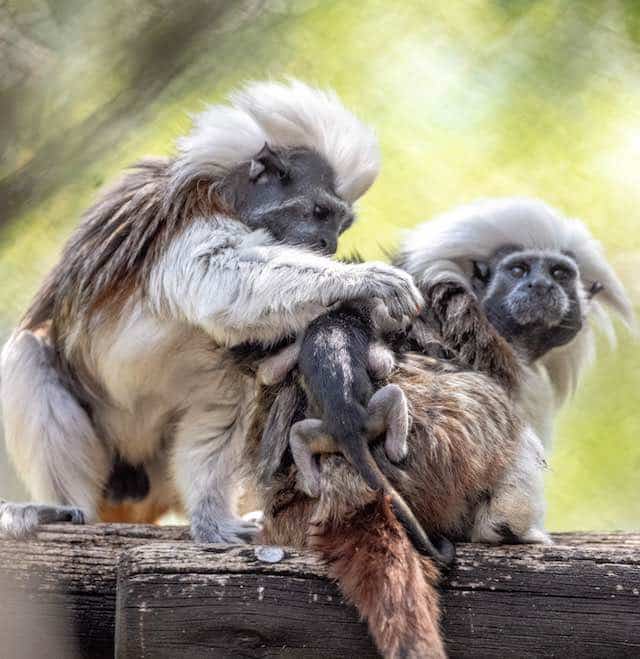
x=465, y=434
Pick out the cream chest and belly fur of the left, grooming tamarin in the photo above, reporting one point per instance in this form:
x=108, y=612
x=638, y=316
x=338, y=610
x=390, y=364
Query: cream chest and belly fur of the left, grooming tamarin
x=152, y=372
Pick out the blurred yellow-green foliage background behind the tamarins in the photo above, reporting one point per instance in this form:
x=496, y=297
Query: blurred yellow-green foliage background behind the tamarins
x=470, y=99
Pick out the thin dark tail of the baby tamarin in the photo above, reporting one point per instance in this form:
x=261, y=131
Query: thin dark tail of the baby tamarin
x=441, y=550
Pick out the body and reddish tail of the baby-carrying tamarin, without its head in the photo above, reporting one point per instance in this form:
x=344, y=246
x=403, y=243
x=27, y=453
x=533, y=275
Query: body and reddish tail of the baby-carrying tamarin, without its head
x=468, y=469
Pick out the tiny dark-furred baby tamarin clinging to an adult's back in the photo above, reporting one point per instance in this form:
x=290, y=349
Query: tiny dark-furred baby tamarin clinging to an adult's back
x=336, y=358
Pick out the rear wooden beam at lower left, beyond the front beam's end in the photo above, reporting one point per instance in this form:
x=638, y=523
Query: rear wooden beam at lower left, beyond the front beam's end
x=58, y=590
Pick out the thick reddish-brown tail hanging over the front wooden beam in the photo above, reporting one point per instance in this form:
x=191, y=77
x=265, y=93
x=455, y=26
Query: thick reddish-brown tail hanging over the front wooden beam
x=377, y=568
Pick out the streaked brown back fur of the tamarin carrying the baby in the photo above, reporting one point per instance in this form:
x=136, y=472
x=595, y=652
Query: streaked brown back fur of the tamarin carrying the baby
x=463, y=436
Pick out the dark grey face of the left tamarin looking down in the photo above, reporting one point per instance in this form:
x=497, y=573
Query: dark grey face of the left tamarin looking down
x=292, y=195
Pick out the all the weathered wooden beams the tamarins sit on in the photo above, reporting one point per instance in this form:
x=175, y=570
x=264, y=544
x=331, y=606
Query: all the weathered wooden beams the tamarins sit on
x=578, y=598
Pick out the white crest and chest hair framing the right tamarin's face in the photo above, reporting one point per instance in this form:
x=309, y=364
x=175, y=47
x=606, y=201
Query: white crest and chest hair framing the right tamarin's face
x=444, y=248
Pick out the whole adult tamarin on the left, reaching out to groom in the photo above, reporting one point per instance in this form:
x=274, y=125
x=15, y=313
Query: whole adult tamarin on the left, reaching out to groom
x=123, y=357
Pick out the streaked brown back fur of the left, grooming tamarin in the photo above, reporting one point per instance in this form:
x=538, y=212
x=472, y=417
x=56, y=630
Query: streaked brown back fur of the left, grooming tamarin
x=116, y=244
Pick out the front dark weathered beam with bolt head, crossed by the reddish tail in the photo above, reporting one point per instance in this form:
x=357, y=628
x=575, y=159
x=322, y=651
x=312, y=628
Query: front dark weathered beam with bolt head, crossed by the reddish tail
x=577, y=598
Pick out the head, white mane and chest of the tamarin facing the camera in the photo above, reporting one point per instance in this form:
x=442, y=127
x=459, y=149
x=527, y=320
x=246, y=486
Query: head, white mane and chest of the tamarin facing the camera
x=532, y=273
